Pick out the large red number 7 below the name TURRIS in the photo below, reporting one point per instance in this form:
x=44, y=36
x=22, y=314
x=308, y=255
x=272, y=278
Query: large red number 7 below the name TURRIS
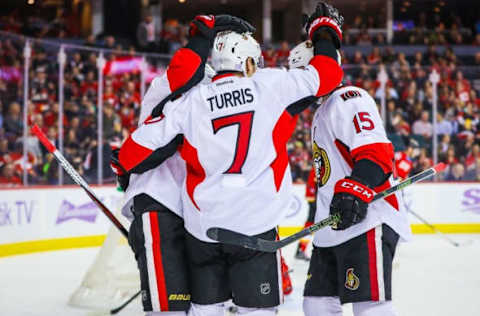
x=244, y=122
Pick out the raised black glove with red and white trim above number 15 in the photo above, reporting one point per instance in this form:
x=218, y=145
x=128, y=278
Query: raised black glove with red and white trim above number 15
x=325, y=22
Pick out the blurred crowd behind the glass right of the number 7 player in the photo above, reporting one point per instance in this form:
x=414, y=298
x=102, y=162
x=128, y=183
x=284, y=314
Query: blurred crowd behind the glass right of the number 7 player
x=409, y=105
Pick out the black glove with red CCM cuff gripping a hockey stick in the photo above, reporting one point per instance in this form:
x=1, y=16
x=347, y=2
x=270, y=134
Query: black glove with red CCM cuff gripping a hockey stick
x=350, y=201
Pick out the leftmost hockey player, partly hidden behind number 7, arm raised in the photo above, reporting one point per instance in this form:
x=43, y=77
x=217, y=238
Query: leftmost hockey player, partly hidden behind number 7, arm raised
x=157, y=234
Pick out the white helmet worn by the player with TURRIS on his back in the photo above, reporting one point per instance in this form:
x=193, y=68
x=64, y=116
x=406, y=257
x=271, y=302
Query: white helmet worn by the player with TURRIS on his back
x=231, y=51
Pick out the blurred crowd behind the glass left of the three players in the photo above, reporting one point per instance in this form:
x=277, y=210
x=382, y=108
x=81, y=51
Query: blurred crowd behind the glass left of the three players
x=121, y=101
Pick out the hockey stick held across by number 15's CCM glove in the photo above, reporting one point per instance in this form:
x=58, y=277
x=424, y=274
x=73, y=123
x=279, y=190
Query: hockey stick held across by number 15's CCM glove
x=230, y=237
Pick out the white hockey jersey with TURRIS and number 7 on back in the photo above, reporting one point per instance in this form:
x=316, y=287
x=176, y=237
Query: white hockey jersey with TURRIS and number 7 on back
x=234, y=143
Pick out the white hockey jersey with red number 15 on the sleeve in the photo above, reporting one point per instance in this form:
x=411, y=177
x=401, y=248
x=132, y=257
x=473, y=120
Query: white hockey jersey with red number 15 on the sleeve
x=344, y=127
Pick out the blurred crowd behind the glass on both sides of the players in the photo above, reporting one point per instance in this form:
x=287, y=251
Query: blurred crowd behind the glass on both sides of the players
x=408, y=95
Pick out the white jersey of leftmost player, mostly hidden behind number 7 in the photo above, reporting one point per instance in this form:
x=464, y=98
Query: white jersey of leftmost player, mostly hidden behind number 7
x=164, y=183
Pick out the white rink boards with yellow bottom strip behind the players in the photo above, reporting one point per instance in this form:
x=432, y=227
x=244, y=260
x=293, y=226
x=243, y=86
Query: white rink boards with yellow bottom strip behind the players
x=42, y=218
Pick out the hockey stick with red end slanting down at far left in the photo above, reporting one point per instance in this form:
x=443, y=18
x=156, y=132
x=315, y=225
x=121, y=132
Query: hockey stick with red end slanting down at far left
x=81, y=182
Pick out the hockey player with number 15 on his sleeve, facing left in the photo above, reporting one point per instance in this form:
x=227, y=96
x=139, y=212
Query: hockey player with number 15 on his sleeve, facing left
x=353, y=159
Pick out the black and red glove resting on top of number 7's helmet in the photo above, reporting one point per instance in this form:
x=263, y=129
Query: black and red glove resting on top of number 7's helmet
x=208, y=25
